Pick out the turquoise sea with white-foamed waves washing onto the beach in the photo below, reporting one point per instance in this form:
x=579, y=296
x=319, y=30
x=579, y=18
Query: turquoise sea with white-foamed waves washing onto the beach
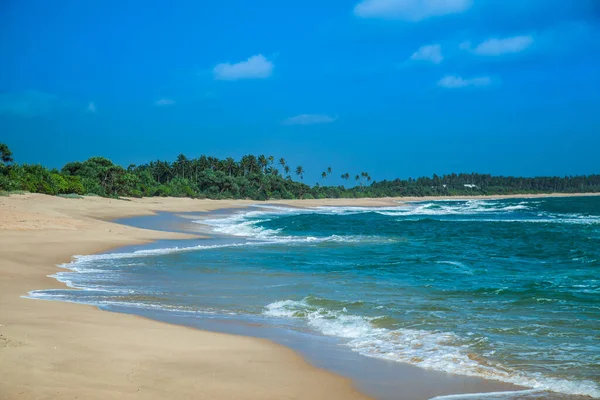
x=500, y=289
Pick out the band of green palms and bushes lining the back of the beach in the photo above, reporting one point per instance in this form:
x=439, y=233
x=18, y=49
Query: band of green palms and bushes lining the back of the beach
x=258, y=178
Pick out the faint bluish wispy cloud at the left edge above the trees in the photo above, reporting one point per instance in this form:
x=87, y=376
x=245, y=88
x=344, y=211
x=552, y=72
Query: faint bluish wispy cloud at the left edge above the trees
x=28, y=103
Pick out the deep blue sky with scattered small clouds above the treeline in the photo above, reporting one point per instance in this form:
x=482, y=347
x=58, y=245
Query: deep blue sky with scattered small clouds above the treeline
x=396, y=88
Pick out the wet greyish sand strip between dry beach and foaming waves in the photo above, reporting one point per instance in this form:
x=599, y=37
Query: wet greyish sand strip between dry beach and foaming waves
x=380, y=378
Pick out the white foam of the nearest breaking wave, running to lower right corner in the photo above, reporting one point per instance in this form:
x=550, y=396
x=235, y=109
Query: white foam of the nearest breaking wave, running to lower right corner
x=442, y=351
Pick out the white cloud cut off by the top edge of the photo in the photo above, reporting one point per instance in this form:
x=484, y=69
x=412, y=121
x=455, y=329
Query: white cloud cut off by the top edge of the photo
x=410, y=10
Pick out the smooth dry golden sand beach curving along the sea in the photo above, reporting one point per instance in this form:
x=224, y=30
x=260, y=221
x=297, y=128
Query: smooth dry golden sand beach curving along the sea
x=67, y=351
